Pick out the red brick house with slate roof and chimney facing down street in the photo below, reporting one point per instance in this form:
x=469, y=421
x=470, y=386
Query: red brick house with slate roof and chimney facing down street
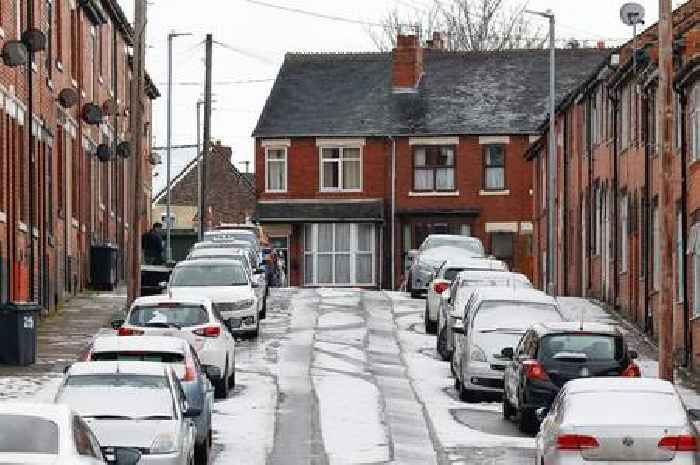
x=362, y=155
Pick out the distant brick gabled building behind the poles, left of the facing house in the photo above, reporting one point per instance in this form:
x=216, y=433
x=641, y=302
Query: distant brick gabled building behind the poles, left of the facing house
x=230, y=198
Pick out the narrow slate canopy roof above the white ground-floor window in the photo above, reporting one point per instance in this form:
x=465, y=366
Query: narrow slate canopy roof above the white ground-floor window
x=320, y=212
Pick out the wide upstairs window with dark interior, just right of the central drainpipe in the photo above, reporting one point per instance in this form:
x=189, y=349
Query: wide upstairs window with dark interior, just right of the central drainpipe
x=434, y=168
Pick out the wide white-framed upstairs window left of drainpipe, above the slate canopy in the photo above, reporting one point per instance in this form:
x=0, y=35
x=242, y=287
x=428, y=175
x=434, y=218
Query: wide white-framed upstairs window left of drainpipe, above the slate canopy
x=341, y=169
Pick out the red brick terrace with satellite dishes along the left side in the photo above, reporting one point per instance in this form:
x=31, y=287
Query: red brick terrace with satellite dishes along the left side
x=76, y=193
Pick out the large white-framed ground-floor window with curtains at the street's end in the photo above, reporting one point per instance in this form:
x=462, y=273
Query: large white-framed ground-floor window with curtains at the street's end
x=313, y=253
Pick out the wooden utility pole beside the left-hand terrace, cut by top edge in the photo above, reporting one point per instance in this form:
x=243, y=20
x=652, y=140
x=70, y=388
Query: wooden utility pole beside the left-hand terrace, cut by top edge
x=136, y=129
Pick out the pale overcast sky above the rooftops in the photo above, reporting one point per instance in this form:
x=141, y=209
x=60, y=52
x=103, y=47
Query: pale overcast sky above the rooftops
x=262, y=35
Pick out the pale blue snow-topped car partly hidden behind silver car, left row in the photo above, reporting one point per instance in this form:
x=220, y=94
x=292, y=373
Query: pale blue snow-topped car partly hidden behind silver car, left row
x=181, y=356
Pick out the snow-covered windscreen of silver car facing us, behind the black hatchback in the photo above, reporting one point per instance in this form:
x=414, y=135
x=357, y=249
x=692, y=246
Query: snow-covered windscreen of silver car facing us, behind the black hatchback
x=513, y=315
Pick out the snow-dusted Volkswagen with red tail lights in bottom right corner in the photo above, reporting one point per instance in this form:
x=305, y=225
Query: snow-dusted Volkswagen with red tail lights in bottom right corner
x=617, y=421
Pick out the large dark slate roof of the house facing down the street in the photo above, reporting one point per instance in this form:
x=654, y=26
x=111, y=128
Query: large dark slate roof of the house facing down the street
x=460, y=93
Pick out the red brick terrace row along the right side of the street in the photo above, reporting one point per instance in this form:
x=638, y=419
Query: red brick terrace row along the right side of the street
x=609, y=186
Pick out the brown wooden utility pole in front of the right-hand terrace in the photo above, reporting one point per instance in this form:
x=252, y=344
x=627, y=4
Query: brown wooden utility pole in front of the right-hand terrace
x=665, y=116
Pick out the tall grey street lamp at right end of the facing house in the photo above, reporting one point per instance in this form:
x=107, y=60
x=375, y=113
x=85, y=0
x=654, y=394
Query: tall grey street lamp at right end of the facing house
x=551, y=152
